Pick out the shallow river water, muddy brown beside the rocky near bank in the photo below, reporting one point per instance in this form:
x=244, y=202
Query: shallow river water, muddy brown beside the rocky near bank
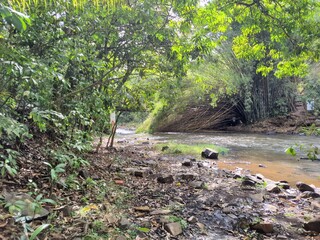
x=259, y=153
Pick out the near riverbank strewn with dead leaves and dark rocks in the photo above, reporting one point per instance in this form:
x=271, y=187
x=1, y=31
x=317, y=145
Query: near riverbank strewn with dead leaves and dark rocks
x=135, y=192
